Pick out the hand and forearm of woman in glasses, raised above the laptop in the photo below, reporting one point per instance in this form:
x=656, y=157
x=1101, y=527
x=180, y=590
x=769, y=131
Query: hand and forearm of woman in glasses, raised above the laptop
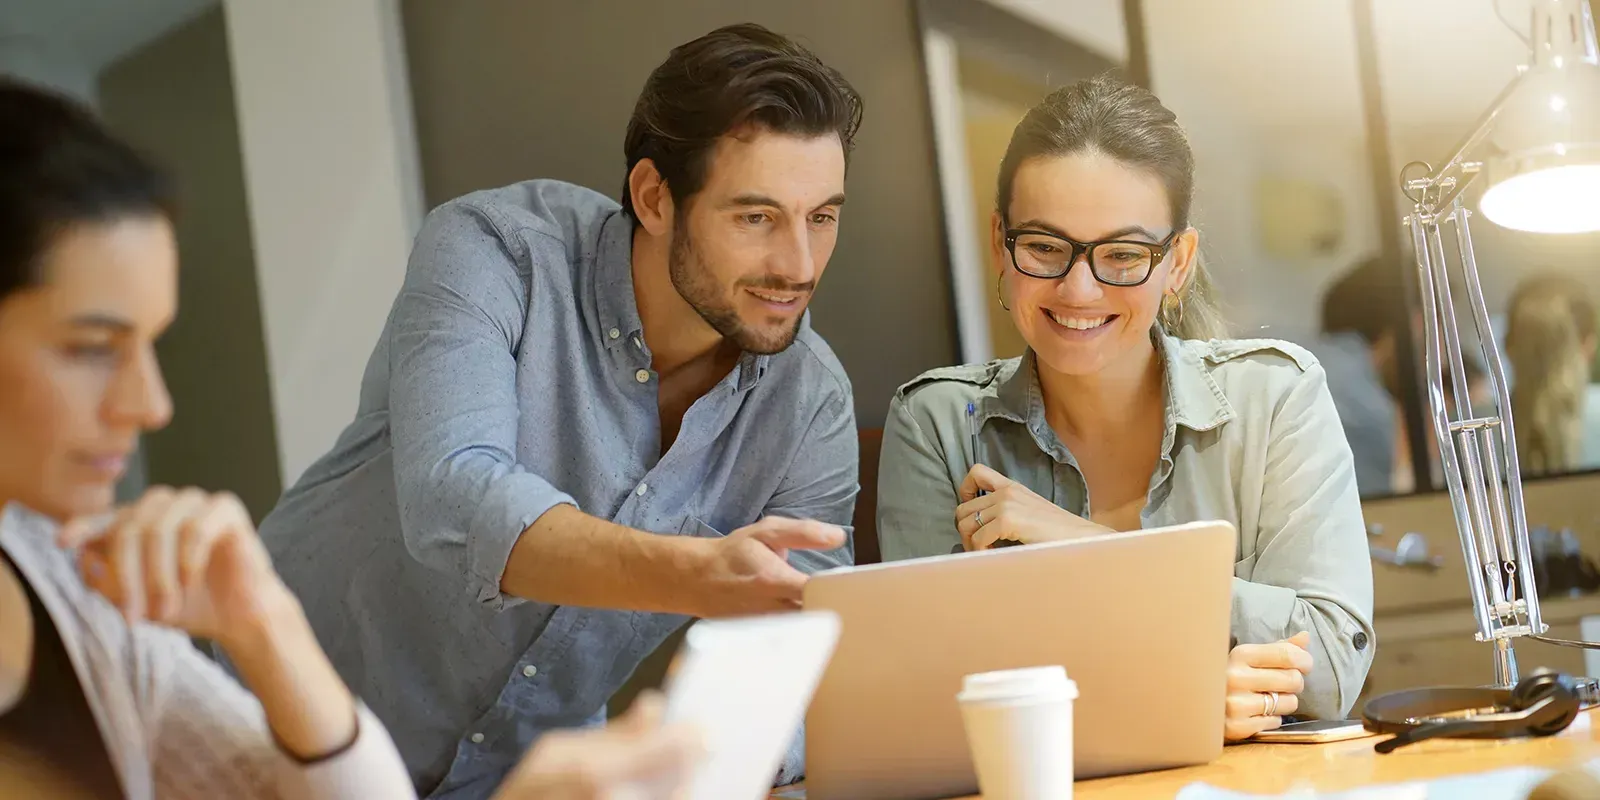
x=1012, y=511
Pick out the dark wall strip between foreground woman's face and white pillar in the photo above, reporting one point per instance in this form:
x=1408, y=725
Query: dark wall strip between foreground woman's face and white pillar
x=175, y=98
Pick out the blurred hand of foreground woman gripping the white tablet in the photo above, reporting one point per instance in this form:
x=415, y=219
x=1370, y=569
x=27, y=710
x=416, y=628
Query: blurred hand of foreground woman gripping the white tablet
x=631, y=759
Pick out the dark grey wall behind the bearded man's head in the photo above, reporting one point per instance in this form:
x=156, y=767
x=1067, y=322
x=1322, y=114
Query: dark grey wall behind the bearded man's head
x=508, y=90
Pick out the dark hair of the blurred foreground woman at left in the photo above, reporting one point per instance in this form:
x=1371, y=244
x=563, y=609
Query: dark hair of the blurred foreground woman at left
x=62, y=167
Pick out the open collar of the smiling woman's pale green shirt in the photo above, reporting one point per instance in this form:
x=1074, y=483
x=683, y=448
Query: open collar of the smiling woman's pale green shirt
x=1194, y=399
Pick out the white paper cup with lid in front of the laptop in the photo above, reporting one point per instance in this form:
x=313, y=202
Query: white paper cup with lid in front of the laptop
x=1020, y=732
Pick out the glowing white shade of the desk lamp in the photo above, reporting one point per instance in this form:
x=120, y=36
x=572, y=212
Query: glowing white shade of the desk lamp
x=1545, y=172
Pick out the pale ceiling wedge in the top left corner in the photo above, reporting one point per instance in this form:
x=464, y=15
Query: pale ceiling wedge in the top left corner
x=92, y=33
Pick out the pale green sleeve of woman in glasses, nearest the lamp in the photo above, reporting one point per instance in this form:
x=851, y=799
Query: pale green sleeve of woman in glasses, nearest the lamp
x=1313, y=569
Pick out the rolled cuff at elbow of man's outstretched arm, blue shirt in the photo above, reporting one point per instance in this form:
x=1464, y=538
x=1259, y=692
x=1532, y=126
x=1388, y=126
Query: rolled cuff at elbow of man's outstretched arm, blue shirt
x=508, y=508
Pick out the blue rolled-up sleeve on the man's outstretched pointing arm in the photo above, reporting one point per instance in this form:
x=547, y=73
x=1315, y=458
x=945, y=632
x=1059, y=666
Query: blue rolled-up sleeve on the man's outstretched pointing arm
x=457, y=330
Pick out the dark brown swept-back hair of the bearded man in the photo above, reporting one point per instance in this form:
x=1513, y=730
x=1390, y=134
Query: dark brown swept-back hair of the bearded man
x=730, y=79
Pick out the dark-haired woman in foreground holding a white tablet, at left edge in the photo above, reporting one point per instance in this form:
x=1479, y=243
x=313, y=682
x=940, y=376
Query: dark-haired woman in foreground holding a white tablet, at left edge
x=102, y=692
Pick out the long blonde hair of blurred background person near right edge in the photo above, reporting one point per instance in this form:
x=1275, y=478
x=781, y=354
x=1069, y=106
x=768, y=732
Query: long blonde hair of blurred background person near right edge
x=1548, y=330
